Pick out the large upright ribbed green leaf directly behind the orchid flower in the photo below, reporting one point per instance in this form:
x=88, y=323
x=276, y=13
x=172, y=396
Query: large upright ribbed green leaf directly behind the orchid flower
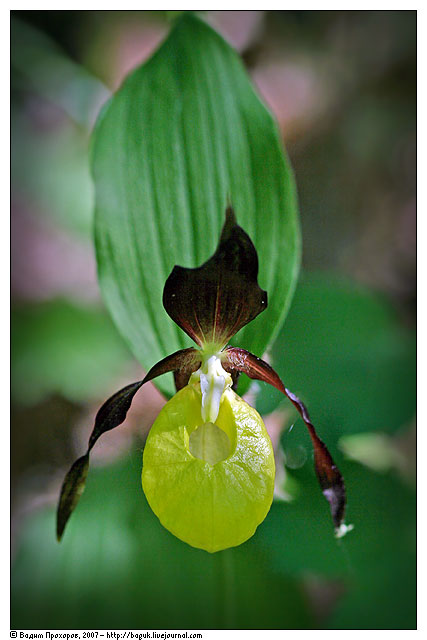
x=185, y=133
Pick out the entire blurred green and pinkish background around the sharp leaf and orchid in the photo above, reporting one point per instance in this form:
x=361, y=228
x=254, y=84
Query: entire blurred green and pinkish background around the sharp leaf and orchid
x=342, y=86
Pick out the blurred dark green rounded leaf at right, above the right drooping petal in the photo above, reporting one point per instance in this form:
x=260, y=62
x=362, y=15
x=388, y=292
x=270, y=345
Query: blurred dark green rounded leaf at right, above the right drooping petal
x=345, y=352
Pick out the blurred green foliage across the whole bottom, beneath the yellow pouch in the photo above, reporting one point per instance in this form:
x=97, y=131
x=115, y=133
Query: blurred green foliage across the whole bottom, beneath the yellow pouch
x=118, y=566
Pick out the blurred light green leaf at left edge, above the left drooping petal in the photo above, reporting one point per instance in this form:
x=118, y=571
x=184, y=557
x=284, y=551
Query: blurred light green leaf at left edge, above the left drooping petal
x=58, y=347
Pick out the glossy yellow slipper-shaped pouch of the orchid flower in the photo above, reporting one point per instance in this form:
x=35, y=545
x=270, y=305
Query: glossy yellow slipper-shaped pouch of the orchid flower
x=211, y=507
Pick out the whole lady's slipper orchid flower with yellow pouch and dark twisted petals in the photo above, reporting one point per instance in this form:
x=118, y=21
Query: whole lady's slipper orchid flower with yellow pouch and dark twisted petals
x=208, y=465
